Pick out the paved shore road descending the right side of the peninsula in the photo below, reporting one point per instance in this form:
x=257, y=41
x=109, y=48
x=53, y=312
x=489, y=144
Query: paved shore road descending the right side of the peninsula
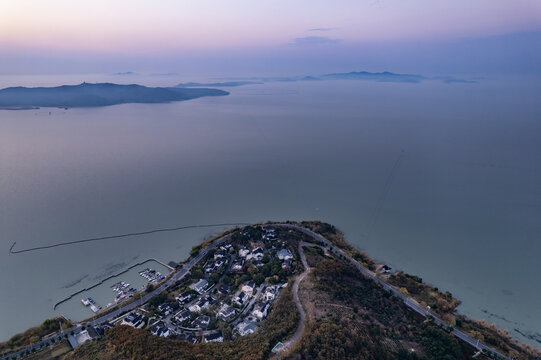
x=408, y=301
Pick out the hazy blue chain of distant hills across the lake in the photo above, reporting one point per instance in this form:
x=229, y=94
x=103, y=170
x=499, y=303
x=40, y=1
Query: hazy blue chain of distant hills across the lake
x=103, y=94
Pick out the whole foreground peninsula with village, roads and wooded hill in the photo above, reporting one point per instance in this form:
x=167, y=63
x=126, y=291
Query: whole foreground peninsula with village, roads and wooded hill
x=291, y=290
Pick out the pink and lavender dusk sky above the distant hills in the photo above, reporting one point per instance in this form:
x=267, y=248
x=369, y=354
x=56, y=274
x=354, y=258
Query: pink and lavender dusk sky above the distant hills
x=242, y=36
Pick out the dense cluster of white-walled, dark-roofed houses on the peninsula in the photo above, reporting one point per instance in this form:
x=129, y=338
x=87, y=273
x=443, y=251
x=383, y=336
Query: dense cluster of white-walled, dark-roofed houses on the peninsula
x=204, y=303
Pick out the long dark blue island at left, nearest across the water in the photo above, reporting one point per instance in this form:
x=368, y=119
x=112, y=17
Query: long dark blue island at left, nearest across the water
x=88, y=95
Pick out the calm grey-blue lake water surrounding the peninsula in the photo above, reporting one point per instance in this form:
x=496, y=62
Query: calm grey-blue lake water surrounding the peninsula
x=440, y=180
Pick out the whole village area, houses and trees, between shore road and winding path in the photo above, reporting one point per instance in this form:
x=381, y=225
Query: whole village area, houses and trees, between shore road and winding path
x=226, y=295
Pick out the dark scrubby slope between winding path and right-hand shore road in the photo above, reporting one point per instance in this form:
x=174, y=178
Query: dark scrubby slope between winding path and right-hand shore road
x=351, y=317
